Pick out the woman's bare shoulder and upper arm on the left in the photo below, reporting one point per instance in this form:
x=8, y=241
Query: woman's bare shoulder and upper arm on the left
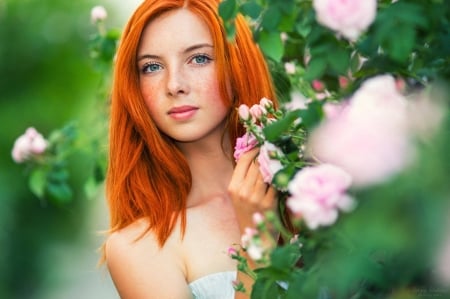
x=141, y=269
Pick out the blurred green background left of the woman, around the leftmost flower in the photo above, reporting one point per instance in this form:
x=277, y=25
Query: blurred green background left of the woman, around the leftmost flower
x=46, y=80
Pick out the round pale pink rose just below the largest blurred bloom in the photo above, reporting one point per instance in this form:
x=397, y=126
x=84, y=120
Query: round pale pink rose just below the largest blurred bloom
x=317, y=193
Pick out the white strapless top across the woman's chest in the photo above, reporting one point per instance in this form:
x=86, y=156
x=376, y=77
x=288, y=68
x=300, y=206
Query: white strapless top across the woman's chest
x=214, y=286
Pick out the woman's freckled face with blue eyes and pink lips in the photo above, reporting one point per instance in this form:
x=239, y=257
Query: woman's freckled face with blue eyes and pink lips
x=178, y=79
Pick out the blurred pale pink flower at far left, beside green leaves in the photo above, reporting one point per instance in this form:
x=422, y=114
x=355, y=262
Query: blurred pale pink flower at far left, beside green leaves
x=28, y=144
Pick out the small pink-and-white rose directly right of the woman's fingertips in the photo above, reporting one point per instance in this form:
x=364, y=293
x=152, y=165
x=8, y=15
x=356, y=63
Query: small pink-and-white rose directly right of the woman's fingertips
x=268, y=165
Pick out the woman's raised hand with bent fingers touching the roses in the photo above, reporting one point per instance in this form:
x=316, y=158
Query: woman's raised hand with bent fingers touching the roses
x=249, y=192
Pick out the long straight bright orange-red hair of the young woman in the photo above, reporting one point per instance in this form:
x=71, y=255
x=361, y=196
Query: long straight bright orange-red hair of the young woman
x=147, y=175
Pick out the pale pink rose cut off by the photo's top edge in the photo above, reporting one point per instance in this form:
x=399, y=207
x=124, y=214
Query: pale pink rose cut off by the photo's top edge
x=348, y=17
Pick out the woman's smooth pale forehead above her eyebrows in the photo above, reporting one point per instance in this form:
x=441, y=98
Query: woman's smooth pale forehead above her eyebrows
x=176, y=29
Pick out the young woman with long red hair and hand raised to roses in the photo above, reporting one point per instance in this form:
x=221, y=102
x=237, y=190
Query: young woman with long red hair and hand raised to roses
x=177, y=199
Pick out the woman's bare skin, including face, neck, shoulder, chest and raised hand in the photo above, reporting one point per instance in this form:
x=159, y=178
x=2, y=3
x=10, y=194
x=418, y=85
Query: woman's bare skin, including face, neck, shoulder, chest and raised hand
x=178, y=81
